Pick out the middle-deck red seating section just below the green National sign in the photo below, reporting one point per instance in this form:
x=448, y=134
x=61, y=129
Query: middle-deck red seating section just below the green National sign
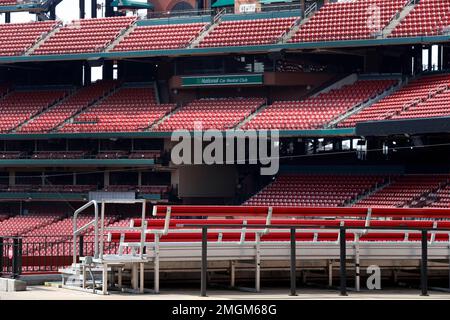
x=220, y=114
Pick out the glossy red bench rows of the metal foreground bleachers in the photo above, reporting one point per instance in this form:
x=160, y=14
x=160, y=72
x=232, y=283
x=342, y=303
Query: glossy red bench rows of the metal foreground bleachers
x=309, y=218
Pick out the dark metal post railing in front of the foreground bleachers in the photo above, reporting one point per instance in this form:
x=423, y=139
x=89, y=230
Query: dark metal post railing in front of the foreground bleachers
x=342, y=247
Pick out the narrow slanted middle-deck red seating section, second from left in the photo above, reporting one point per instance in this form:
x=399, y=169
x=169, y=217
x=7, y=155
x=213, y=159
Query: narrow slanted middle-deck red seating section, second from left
x=73, y=104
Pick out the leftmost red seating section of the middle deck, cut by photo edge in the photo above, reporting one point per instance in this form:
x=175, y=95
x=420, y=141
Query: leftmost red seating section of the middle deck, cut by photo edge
x=19, y=106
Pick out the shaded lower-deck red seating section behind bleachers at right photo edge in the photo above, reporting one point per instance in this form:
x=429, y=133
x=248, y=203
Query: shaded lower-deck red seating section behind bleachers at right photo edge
x=404, y=191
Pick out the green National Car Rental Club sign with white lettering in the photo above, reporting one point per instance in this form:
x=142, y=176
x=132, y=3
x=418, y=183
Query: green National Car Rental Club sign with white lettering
x=230, y=80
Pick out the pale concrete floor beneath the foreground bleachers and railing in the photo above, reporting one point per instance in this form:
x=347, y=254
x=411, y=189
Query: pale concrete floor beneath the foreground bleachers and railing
x=53, y=293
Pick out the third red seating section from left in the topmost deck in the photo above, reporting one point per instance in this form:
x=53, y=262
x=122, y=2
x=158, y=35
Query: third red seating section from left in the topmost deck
x=160, y=37
